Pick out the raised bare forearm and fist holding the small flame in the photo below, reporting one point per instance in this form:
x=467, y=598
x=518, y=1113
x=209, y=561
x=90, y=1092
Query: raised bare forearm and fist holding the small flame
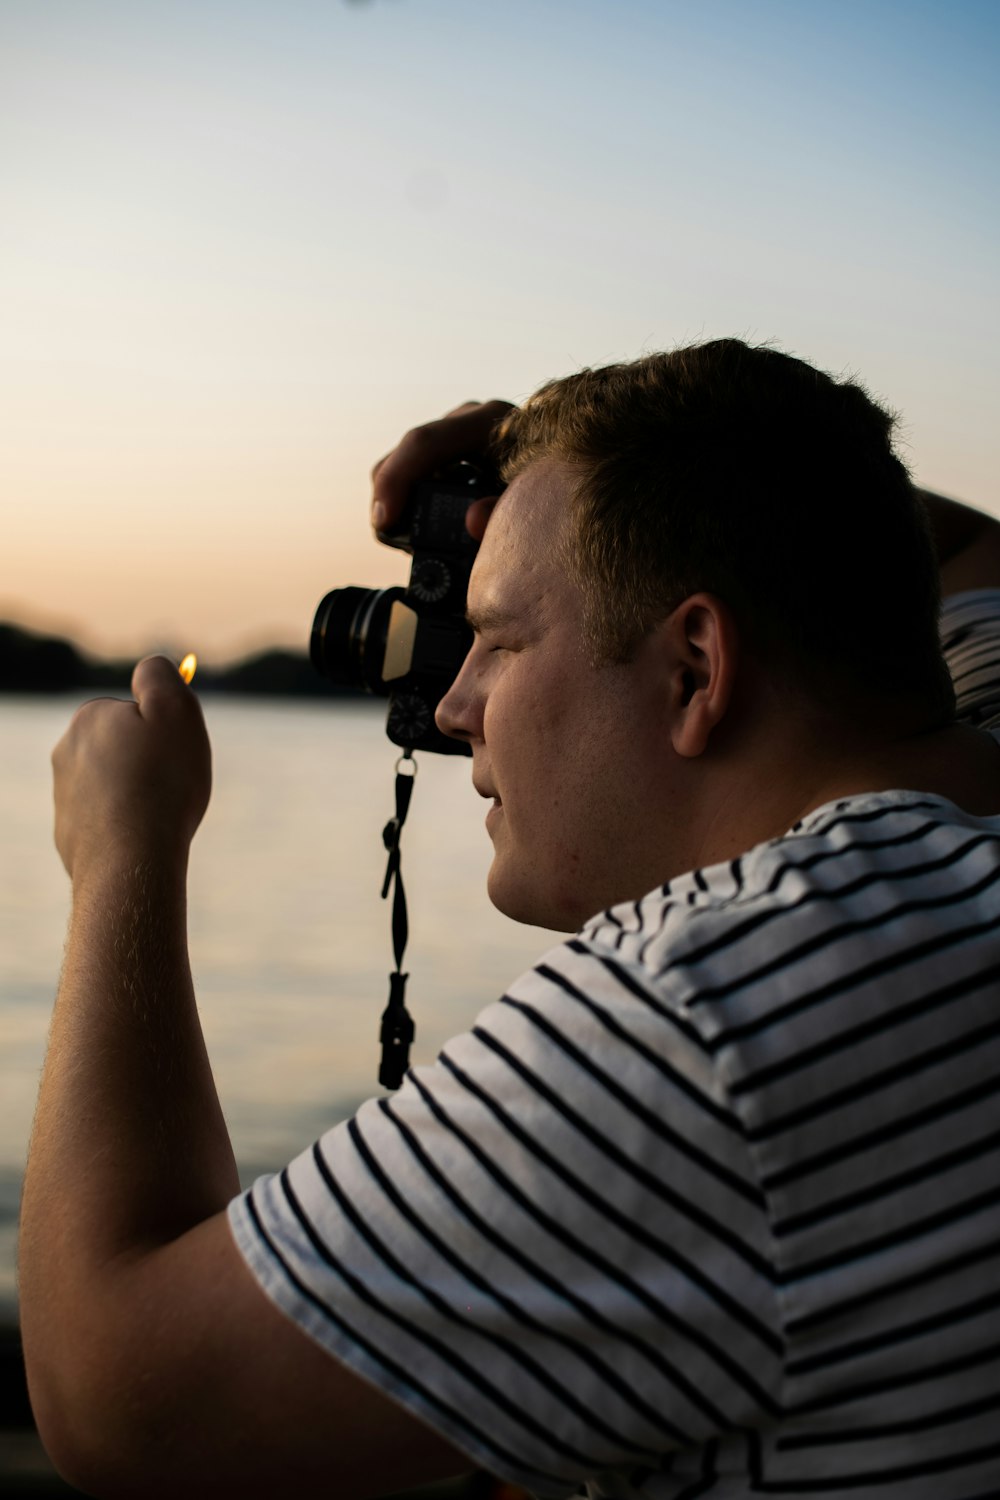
x=127, y=1057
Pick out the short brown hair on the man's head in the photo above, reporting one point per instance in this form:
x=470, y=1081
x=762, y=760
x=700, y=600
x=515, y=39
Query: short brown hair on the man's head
x=750, y=475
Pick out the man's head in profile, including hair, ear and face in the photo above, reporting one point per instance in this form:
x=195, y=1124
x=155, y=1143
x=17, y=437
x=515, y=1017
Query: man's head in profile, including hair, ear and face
x=695, y=553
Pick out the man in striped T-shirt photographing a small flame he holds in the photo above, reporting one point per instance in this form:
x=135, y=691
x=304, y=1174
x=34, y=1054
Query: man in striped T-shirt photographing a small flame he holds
x=707, y=1204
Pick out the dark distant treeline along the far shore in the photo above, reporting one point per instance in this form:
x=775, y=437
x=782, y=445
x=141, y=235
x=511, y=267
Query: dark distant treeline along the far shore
x=37, y=664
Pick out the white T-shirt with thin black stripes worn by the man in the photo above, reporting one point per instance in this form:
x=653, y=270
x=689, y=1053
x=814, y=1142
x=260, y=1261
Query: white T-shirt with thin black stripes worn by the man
x=710, y=1202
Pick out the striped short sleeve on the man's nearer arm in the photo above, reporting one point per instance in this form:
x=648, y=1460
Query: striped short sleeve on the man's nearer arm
x=549, y=1246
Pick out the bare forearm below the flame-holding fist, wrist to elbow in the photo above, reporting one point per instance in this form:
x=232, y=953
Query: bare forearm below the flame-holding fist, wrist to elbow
x=130, y=1147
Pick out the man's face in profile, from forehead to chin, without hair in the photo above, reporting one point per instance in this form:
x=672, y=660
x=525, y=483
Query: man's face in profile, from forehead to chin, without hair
x=576, y=758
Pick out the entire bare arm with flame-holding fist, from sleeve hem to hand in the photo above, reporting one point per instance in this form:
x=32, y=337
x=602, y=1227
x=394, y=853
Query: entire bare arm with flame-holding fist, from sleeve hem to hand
x=155, y=1361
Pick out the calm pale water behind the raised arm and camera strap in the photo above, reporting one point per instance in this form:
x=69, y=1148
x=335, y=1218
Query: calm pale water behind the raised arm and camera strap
x=290, y=940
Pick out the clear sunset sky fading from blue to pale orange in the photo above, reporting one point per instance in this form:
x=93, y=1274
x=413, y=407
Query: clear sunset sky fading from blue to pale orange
x=247, y=244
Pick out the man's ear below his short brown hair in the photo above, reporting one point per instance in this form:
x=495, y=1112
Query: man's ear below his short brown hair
x=704, y=643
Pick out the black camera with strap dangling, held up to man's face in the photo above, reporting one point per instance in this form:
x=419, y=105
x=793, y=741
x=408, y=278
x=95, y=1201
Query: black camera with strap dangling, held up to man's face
x=410, y=643
